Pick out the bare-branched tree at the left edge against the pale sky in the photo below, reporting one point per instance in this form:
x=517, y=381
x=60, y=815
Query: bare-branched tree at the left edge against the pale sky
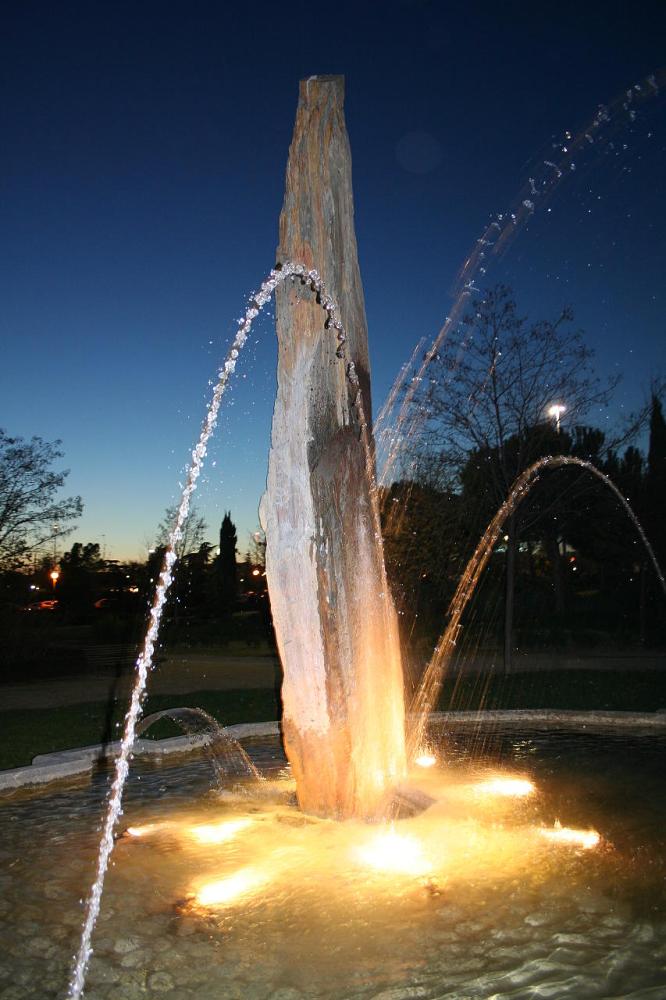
x=31, y=512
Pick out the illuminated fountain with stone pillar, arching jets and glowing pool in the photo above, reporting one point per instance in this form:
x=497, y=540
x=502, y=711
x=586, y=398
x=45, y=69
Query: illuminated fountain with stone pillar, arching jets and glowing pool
x=504, y=879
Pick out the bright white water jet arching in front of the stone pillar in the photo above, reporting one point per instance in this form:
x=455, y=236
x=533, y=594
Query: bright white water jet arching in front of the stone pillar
x=144, y=662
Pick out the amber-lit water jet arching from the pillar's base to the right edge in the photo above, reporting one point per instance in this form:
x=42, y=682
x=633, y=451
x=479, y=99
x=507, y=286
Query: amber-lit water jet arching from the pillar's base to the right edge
x=431, y=682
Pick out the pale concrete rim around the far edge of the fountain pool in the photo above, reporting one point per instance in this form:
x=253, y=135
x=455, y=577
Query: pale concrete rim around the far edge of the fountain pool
x=53, y=767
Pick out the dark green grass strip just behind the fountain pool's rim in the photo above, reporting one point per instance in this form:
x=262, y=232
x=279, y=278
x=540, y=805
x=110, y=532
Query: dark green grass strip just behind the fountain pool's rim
x=28, y=733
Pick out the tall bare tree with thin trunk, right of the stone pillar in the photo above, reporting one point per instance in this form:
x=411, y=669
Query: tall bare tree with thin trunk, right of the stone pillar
x=494, y=381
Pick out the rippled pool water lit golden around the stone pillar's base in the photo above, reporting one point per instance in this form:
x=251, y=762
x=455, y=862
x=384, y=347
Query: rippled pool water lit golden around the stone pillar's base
x=498, y=913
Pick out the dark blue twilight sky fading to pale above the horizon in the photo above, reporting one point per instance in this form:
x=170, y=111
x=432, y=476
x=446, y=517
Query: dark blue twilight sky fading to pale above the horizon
x=144, y=148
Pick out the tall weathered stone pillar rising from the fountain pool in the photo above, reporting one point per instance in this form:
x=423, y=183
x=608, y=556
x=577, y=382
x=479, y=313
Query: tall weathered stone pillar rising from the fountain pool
x=343, y=717
